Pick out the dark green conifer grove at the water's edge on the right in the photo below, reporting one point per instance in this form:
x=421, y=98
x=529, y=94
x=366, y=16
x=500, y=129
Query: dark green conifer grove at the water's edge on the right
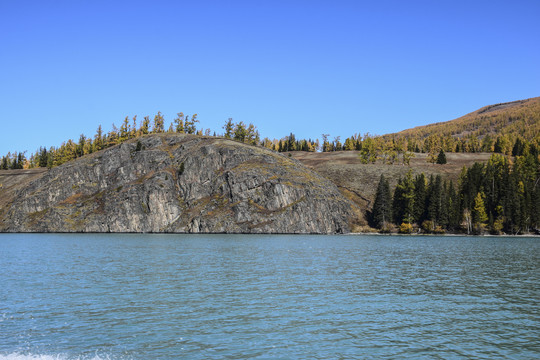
x=501, y=196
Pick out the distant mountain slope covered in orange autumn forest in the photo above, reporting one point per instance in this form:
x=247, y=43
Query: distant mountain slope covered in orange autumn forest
x=513, y=120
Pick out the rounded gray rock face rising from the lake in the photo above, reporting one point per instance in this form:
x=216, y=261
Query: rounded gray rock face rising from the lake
x=180, y=183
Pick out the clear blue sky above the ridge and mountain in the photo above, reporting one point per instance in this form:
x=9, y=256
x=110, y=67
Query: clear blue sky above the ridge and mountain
x=310, y=67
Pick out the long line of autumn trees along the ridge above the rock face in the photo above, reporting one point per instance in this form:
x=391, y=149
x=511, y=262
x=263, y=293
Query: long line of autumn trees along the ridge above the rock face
x=393, y=149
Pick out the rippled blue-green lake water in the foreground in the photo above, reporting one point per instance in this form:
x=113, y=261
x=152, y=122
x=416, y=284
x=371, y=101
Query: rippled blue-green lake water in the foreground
x=268, y=297
